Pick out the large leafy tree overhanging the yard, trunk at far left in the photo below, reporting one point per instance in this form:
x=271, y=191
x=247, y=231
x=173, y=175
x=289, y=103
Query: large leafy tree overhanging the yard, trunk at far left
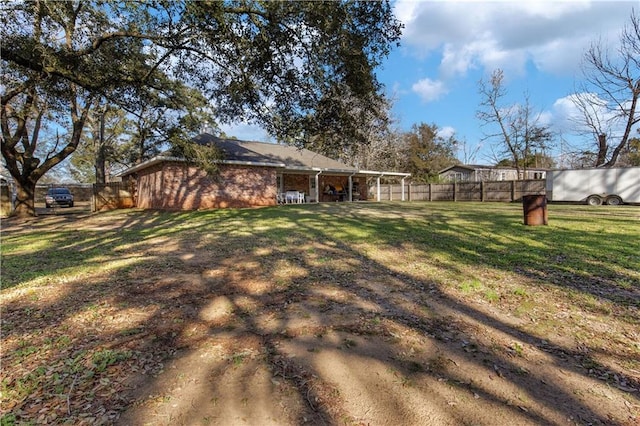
x=269, y=62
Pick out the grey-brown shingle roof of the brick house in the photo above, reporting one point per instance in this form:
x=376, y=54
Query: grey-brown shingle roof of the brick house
x=262, y=152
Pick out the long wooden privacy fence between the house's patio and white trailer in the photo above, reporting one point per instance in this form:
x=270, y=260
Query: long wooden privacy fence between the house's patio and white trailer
x=462, y=191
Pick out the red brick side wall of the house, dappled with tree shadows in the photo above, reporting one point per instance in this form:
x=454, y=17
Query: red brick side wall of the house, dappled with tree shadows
x=178, y=186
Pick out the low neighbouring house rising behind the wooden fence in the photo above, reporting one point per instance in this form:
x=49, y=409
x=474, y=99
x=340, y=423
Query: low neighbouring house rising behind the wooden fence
x=478, y=173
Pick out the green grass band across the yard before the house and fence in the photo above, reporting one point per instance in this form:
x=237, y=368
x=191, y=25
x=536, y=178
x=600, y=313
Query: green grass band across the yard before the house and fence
x=581, y=248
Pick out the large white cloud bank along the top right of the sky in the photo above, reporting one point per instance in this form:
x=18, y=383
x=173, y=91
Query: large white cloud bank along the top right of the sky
x=506, y=34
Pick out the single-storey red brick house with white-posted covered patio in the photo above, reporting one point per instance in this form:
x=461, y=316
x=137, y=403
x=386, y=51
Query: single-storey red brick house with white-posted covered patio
x=250, y=174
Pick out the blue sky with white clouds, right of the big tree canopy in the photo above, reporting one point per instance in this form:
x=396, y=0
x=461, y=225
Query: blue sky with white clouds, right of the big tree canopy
x=447, y=47
